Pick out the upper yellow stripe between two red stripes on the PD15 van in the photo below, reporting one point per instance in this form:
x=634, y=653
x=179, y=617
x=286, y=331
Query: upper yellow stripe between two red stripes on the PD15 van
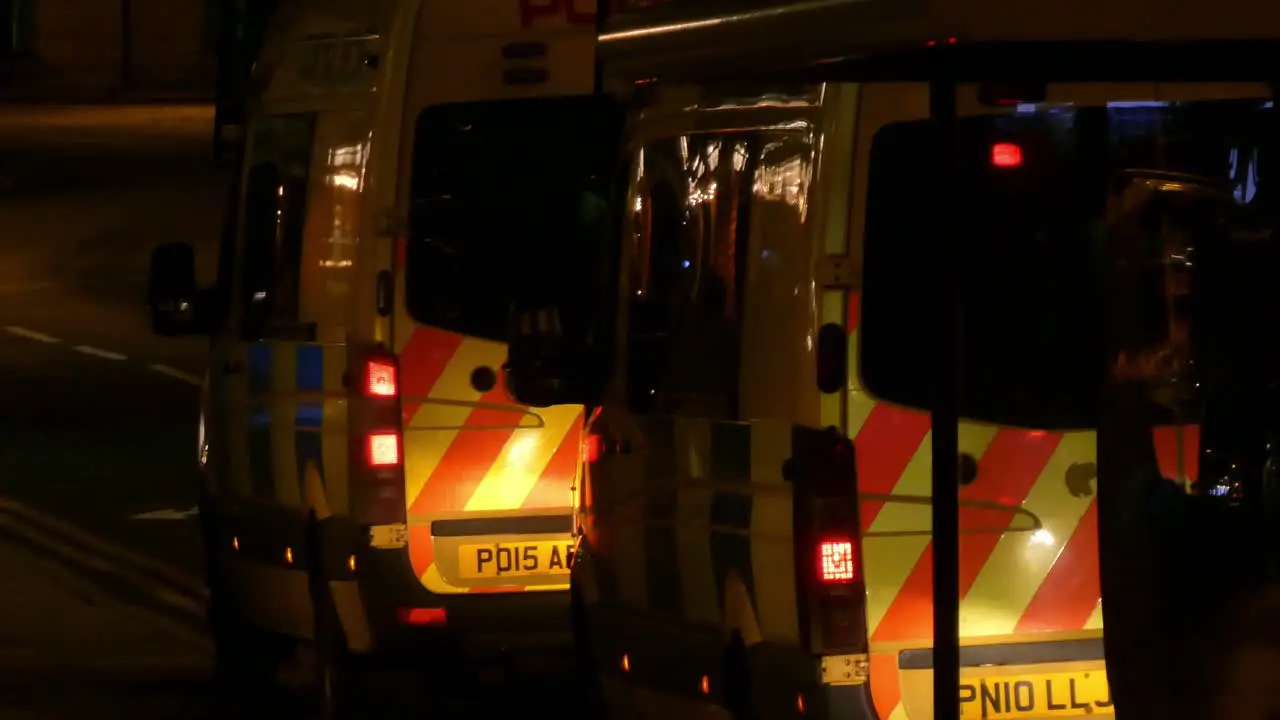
x=436, y=425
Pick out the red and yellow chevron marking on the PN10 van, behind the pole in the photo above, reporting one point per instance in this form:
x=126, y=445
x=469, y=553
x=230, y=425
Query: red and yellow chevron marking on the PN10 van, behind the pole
x=1017, y=577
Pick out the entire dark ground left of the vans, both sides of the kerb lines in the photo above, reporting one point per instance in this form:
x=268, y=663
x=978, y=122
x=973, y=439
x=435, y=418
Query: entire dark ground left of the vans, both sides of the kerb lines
x=93, y=430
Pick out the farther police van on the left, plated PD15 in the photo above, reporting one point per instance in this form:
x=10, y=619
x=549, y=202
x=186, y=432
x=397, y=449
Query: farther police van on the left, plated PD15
x=369, y=486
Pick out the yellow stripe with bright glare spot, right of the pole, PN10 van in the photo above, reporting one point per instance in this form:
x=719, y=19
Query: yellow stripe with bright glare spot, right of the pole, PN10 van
x=1022, y=560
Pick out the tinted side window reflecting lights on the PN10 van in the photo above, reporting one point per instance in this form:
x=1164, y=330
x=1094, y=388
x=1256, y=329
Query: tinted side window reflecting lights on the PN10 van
x=689, y=235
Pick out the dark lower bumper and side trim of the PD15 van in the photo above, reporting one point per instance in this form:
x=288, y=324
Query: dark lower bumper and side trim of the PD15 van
x=267, y=558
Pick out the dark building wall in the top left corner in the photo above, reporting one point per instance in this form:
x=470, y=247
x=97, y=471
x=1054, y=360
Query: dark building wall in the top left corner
x=85, y=51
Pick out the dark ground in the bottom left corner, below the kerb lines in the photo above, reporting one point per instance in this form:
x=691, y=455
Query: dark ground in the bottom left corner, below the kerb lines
x=72, y=649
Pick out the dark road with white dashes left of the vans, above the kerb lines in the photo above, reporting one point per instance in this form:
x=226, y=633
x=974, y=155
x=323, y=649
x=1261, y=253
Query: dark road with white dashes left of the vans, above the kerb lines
x=100, y=422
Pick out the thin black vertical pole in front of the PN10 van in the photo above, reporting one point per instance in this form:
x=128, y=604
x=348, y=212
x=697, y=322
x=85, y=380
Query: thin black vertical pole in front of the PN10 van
x=947, y=389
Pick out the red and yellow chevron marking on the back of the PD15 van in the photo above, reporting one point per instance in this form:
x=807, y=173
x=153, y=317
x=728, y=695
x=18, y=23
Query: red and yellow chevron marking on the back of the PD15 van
x=470, y=453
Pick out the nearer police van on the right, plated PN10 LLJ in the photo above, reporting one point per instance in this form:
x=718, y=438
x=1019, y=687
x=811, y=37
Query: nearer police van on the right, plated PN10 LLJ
x=757, y=507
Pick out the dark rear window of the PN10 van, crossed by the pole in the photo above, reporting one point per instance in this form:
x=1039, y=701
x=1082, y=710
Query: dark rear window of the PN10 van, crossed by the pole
x=1032, y=206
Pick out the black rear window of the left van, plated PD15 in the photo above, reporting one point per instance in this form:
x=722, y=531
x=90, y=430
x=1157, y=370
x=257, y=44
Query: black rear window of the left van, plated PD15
x=500, y=192
